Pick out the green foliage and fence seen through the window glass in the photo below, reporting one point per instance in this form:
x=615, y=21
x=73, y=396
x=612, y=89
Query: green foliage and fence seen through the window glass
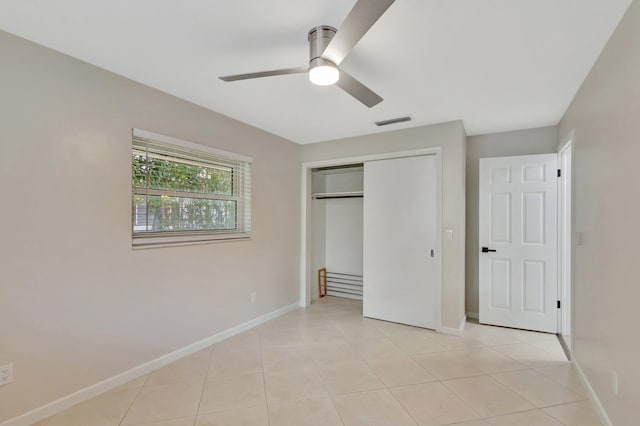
x=174, y=194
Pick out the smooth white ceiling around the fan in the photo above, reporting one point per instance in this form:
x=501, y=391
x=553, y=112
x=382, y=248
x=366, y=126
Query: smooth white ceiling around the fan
x=496, y=64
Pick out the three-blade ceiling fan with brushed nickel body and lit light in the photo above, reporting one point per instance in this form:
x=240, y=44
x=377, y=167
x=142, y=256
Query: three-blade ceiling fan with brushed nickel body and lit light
x=327, y=49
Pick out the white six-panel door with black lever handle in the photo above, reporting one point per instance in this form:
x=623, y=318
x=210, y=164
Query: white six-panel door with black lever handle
x=518, y=225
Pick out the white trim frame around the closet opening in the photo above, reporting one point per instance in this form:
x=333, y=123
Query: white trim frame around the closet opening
x=306, y=237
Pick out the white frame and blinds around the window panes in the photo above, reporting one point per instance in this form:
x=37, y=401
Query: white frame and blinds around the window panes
x=241, y=193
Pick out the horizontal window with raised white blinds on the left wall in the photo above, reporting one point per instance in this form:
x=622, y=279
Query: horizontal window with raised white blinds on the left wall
x=184, y=192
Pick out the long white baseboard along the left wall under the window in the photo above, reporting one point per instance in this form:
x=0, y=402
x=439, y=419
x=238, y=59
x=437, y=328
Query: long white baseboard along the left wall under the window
x=122, y=378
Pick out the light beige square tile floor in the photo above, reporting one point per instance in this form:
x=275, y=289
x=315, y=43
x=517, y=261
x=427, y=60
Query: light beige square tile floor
x=326, y=365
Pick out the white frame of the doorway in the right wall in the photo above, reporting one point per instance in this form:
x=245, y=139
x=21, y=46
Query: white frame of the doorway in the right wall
x=565, y=235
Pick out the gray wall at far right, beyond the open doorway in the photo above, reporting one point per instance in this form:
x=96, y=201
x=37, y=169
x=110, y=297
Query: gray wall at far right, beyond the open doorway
x=605, y=115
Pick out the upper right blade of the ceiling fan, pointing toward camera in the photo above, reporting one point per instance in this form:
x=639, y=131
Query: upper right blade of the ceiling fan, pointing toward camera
x=364, y=14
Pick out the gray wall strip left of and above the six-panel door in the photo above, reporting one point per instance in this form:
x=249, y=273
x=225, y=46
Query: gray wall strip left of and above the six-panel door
x=542, y=140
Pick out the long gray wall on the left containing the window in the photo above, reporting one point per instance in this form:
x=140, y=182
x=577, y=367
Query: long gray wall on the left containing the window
x=77, y=305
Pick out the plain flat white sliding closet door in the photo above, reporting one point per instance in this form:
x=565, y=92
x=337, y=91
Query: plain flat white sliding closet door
x=401, y=272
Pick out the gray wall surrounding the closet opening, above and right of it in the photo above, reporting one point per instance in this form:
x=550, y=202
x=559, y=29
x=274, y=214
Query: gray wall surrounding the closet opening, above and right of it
x=452, y=138
